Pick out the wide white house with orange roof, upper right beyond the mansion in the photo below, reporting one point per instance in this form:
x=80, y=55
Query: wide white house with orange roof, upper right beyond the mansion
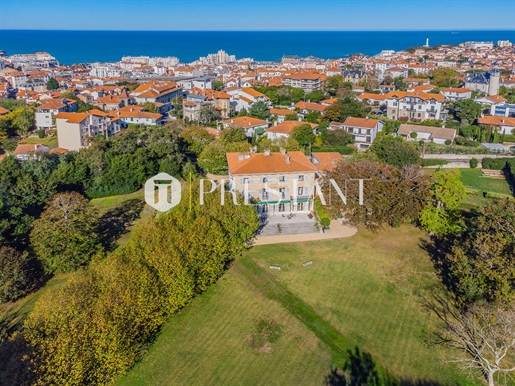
x=414, y=105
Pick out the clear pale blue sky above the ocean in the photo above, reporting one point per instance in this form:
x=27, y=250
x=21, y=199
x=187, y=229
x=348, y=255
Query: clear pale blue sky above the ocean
x=257, y=15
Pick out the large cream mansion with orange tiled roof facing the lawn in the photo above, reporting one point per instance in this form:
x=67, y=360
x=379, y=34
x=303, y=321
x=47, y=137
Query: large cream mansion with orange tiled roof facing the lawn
x=280, y=183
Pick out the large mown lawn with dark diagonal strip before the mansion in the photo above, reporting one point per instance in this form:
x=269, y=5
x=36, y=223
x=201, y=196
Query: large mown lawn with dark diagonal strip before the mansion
x=362, y=291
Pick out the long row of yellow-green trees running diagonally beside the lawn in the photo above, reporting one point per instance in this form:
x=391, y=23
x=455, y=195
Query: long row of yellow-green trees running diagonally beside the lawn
x=96, y=325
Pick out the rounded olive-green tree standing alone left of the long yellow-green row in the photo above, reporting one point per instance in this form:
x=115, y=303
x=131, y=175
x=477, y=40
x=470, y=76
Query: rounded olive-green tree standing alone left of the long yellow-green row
x=64, y=238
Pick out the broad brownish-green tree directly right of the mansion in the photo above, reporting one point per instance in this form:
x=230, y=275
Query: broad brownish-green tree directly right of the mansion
x=390, y=195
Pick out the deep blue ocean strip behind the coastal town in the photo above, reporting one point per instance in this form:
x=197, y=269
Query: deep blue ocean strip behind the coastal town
x=71, y=47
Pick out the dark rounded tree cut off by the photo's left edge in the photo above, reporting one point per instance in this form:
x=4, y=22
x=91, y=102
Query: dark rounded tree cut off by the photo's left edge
x=13, y=274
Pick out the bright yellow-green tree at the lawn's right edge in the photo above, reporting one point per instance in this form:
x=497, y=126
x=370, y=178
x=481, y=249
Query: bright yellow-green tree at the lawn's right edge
x=442, y=214
